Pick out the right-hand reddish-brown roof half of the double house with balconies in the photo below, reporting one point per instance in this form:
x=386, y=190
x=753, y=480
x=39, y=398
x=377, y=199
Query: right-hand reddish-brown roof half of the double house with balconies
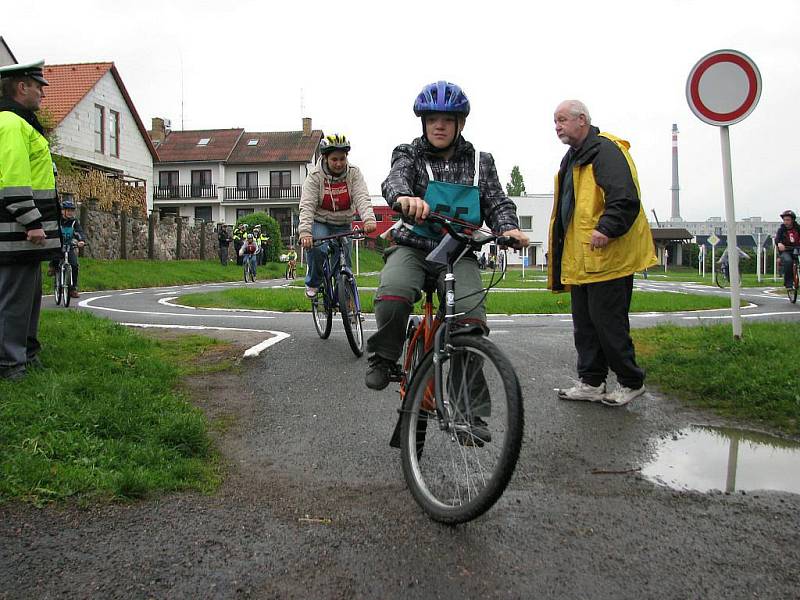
x=284, y=146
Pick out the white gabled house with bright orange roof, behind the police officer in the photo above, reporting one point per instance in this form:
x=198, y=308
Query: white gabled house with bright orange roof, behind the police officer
x=97, y=125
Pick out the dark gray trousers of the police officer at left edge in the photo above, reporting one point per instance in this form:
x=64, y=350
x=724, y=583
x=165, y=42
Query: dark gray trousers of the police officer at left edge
x=20, y=302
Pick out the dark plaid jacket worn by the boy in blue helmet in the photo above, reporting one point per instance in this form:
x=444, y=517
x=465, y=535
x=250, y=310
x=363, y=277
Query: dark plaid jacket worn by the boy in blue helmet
x=408, y=177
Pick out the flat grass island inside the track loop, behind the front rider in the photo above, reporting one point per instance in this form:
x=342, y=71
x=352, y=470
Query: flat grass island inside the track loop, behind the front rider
x=294, y=300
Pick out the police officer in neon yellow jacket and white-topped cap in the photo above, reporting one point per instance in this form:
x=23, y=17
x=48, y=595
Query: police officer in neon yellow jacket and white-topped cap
x=29, y=216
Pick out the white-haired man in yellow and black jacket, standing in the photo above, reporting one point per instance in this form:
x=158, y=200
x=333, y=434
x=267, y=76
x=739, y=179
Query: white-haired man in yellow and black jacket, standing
x=599, y=237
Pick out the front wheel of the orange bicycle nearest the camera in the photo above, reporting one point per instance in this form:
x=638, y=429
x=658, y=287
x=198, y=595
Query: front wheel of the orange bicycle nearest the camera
x=495, y=459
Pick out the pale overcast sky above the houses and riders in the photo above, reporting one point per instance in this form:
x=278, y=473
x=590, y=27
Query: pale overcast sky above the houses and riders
x=361, y=64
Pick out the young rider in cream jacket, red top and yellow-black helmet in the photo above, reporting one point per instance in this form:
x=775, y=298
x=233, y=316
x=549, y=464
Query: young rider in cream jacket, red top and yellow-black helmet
x=332, y=193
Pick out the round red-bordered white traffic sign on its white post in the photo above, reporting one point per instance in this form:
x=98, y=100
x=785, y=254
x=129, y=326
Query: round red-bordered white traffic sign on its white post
x=722, y=89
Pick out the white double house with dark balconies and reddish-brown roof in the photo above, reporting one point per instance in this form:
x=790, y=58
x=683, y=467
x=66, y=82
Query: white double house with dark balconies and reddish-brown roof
x=223, y=174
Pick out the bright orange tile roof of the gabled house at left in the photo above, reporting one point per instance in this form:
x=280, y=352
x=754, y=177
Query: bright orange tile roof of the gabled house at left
x=69, y=84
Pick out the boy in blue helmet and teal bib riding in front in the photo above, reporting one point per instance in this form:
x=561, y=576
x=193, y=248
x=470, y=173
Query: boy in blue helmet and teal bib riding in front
x=437, y=171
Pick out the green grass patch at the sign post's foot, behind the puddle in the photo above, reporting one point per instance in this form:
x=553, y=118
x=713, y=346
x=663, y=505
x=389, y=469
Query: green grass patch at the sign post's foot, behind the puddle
x=754, y=378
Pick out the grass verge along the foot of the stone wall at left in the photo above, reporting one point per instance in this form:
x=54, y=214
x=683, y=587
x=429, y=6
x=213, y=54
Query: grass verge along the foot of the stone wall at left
x=126, y=274
